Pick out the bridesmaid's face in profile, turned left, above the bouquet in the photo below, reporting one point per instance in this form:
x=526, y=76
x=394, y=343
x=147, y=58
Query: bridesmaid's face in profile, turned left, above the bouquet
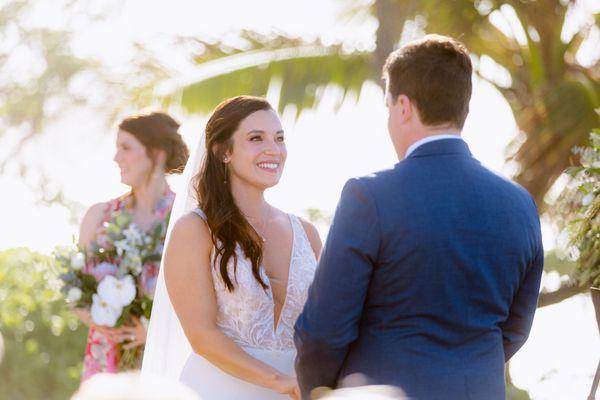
x=132, y=159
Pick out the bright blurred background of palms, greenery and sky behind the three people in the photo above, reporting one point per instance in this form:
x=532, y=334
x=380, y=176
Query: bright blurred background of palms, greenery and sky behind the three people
x=71, y=69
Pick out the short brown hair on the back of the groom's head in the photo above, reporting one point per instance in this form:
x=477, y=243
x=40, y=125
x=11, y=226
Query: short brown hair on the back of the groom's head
x=435, y=74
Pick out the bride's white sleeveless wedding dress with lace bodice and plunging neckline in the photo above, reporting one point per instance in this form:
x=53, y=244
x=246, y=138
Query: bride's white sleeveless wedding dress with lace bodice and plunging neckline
x=246, y=315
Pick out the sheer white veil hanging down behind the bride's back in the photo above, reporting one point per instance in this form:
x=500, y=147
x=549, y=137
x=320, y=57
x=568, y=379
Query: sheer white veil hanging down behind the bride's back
x=167, y=347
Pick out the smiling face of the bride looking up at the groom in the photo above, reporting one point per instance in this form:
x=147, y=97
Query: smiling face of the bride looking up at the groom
x=258, y=153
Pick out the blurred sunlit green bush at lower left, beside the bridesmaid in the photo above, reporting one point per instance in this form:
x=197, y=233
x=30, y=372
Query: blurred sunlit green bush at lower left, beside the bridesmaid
x=44, y=341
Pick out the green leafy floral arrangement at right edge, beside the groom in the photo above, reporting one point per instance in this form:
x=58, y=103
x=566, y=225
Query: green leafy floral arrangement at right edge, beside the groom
x=578, y=212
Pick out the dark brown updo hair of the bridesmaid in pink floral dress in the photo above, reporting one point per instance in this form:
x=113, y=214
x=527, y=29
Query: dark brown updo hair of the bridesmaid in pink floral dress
x=158, y=131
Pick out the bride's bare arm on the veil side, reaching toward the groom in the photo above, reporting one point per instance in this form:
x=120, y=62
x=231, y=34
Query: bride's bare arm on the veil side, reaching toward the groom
x=189, y=283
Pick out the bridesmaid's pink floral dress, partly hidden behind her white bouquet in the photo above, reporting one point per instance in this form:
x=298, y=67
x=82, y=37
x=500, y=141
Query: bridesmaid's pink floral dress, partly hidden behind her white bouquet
x=102, y=354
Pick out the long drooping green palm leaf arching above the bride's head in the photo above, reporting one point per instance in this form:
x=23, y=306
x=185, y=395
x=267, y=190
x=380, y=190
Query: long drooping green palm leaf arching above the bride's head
x=301, y=72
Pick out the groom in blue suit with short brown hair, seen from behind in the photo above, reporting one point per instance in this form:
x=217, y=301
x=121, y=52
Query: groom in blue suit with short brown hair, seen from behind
x=430, y=275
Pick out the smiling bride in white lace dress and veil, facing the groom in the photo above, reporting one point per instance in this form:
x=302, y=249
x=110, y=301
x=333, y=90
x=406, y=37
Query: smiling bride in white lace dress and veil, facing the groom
x=236, y=269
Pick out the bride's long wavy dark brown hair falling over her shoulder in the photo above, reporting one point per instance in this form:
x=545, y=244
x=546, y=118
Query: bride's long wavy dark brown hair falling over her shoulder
x=228, y=226
